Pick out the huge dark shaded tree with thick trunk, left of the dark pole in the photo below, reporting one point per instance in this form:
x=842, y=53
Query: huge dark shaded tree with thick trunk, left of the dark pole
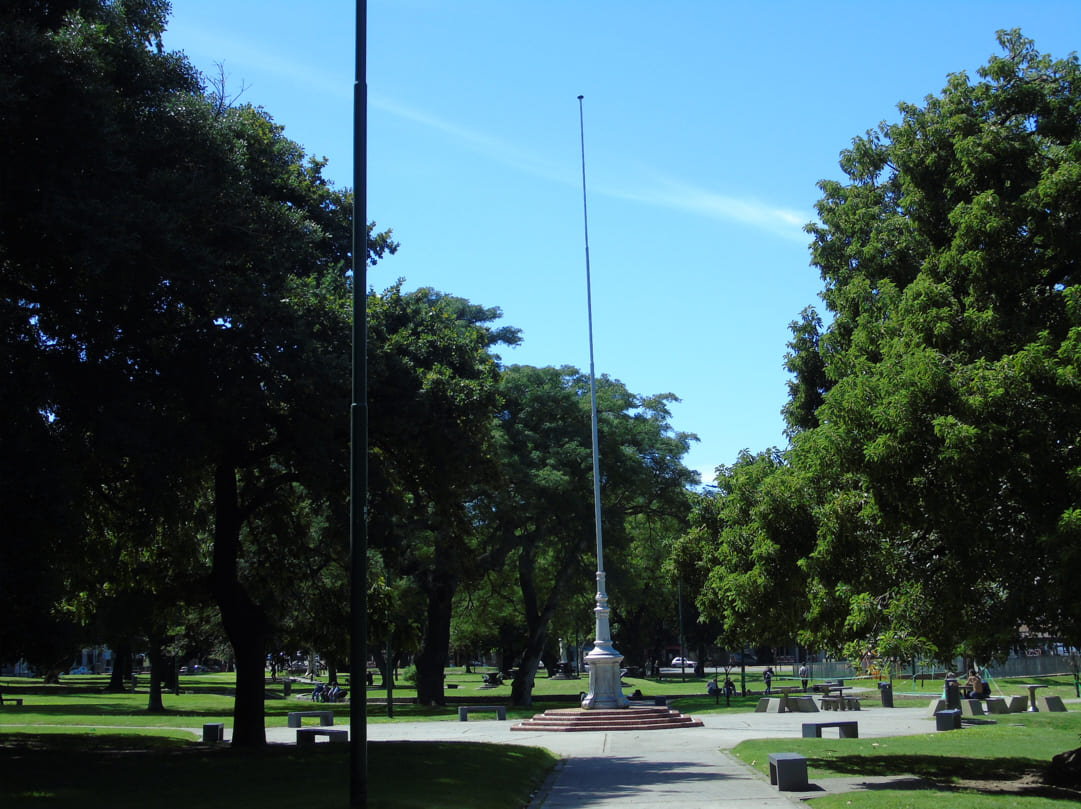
x=175, y=272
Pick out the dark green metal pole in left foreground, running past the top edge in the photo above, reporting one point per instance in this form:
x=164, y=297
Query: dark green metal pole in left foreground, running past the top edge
x=358, y=430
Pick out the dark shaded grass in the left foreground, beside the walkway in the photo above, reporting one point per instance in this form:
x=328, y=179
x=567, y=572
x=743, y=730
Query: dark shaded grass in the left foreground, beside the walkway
x=121, y=772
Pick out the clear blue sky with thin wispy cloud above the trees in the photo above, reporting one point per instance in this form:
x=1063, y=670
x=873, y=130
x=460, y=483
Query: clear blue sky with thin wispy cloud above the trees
x=708, y=127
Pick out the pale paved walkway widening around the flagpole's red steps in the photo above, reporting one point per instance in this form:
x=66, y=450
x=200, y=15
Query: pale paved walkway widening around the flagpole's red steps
x=688, y=768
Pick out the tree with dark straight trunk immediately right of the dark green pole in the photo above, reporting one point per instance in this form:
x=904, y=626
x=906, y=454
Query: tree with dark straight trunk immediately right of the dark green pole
x=433, y=378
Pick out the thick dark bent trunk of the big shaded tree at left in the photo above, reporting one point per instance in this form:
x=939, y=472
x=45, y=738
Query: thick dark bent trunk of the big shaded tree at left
x=245, y=622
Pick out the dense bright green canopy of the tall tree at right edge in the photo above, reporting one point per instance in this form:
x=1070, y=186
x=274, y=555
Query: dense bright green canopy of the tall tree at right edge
x=938, y=419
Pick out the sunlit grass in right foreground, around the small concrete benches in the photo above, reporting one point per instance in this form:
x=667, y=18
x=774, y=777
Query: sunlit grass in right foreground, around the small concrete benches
x=966, y=768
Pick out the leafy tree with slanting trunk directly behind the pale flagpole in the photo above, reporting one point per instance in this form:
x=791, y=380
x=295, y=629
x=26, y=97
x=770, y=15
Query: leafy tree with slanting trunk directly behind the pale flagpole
x=540, y=516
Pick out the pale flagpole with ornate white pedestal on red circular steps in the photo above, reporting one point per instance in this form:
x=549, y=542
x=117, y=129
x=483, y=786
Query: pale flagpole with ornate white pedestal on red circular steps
x=605, y=688
